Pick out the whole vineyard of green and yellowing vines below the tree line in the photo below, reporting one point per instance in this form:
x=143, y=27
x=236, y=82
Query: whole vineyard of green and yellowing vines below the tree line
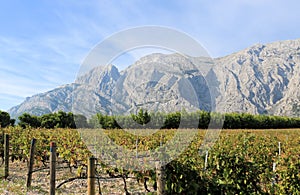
x=240, y=162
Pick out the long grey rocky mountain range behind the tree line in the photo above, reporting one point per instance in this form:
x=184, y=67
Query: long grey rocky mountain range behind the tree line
x=262, y=79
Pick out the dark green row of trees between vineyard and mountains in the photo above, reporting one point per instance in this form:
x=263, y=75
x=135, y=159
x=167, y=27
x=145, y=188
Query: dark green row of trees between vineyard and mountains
x=158, y=120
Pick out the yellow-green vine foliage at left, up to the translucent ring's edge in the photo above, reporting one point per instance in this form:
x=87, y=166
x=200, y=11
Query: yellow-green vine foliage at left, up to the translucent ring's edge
x=70, y=147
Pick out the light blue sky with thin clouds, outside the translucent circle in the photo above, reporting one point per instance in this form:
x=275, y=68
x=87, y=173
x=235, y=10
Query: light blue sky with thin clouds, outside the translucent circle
x=43, y=42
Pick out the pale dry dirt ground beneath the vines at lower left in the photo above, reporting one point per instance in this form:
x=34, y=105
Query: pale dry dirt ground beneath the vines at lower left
x=16, y=183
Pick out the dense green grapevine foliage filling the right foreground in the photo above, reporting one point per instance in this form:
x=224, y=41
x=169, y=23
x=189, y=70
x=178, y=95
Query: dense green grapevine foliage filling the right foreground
x=239, y=163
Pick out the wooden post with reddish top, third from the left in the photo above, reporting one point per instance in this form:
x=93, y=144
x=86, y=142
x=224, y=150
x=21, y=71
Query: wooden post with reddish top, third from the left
x=52, y=167
